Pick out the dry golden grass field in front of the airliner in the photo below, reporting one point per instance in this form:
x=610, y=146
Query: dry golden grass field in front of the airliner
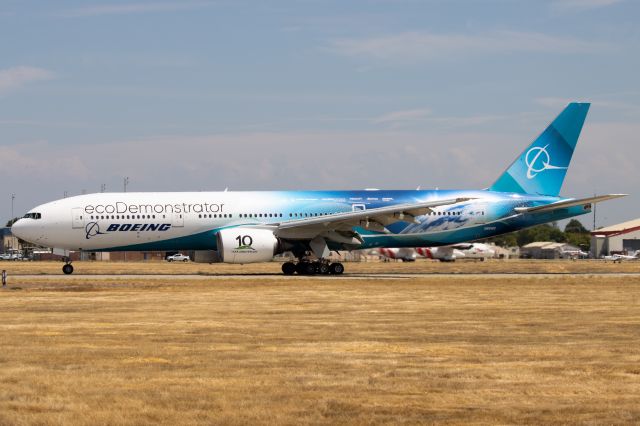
x=429, y=349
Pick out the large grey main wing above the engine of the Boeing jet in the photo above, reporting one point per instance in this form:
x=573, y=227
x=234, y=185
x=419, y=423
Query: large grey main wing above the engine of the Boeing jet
x=374, y=219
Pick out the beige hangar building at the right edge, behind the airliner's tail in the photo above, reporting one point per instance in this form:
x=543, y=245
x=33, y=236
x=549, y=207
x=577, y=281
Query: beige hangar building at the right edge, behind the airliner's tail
x=622, y=239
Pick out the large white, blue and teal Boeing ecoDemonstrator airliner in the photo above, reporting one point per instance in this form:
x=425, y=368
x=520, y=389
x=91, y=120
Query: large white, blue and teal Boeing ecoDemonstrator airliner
x=246, y=227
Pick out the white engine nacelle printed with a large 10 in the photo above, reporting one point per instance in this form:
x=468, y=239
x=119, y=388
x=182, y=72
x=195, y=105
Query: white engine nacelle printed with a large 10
x=246, y=245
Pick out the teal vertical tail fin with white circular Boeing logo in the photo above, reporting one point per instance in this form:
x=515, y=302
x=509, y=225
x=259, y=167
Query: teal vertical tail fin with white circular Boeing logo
x=541, y=168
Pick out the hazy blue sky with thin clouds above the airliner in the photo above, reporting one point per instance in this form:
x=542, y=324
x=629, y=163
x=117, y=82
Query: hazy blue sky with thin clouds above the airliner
x=311, y=94
